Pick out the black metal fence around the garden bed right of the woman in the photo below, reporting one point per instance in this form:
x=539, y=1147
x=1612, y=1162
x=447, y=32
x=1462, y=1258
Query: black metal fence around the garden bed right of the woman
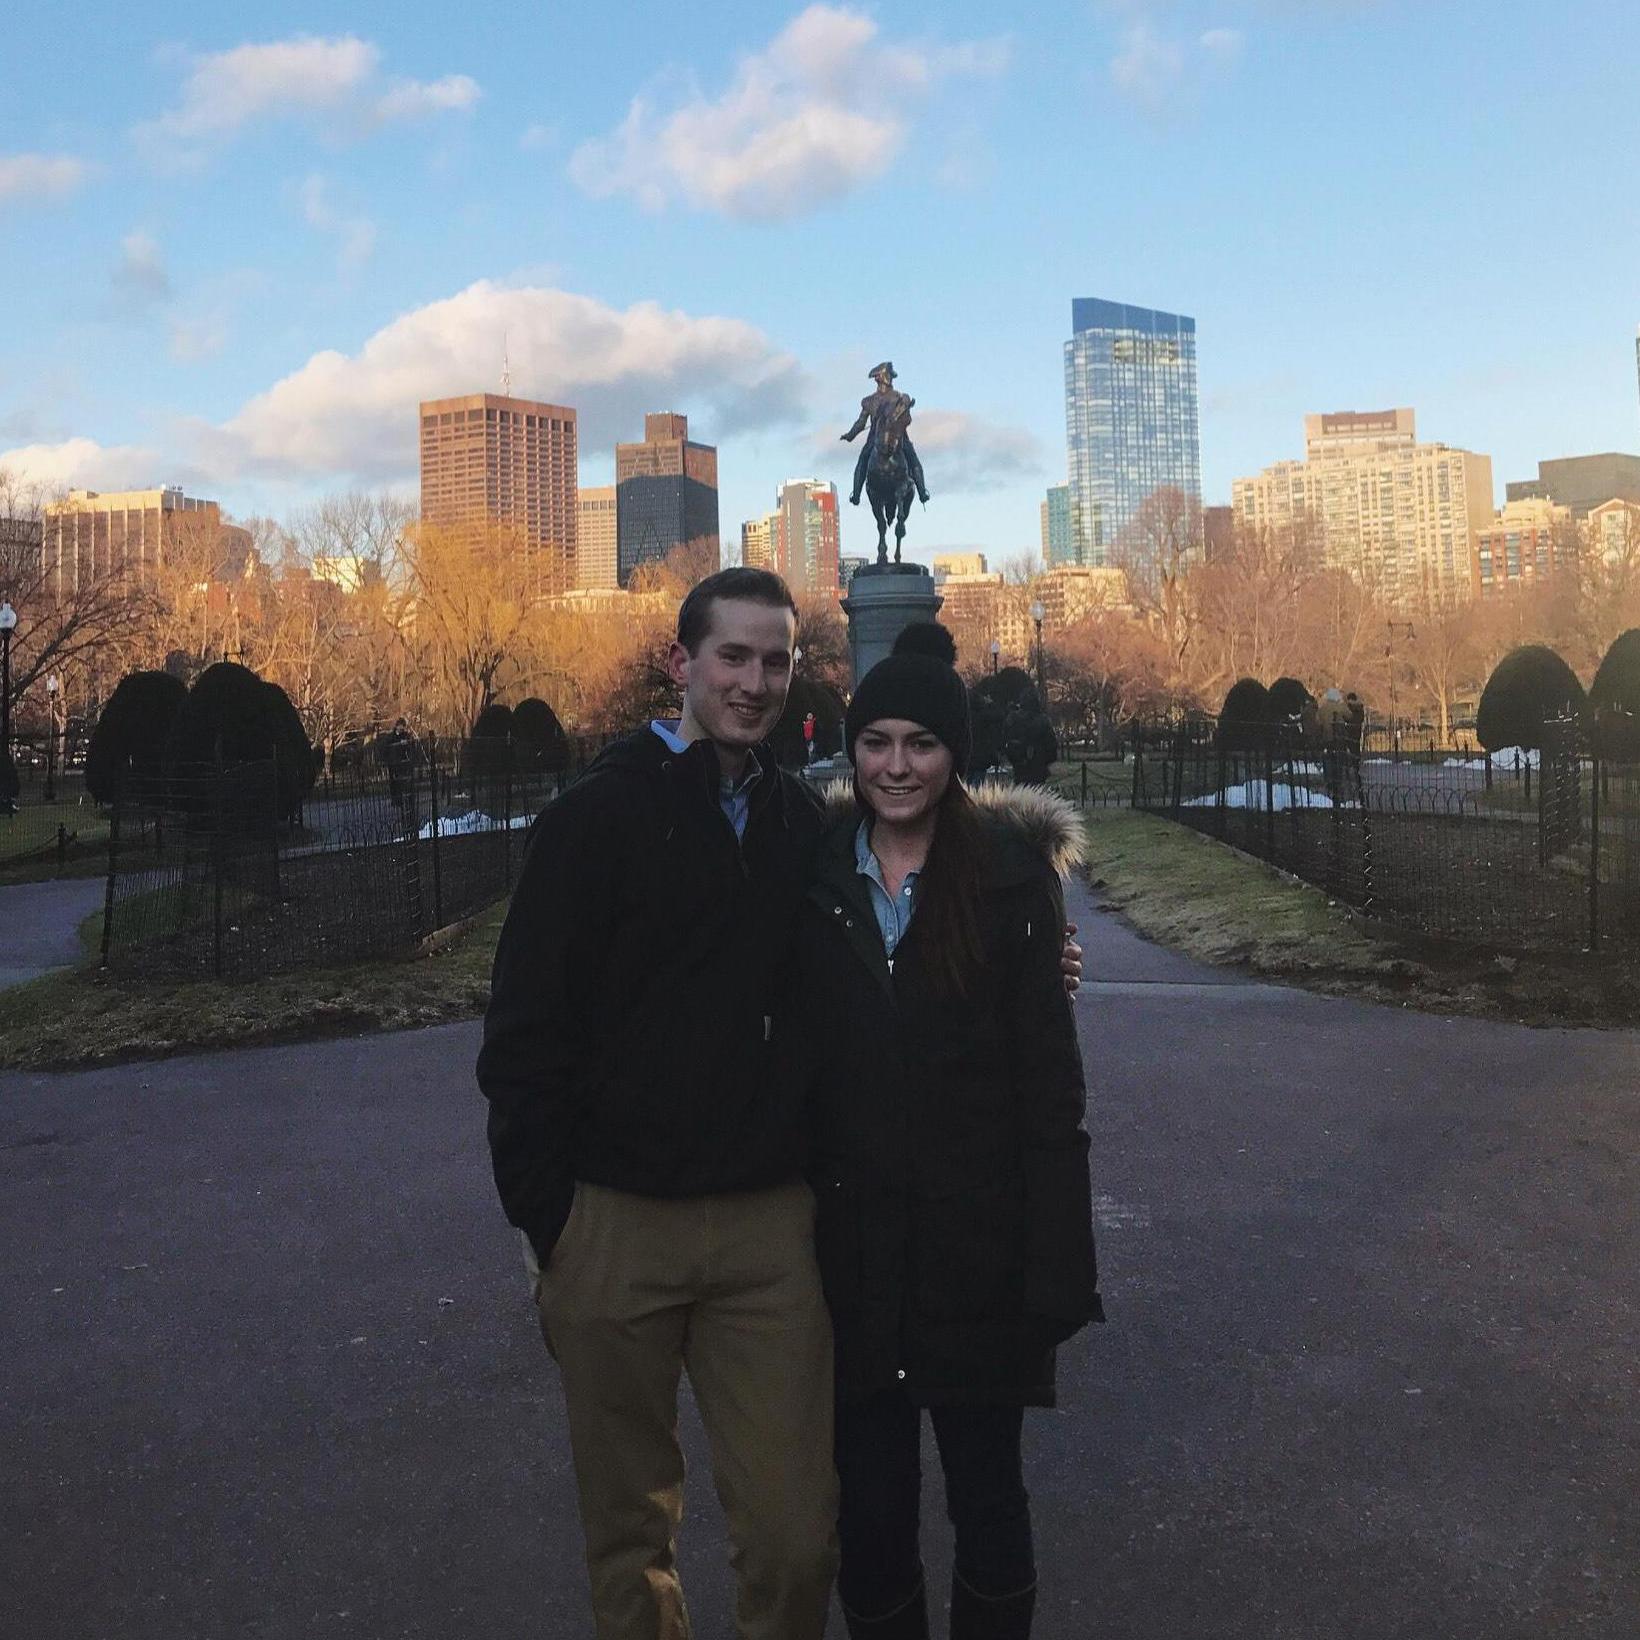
x=1537, y=850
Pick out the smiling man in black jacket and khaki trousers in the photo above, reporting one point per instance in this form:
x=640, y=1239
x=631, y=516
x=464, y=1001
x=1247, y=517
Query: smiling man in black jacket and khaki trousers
x=645, y=1147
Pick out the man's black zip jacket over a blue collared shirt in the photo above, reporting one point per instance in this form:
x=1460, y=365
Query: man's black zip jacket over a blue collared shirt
x=627, y=1039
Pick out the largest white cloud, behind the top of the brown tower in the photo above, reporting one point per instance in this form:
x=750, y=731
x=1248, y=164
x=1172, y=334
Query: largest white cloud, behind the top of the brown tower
x=355, y=414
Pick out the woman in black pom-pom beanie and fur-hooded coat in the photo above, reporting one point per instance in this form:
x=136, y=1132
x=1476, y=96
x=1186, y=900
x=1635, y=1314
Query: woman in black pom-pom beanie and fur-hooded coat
x=950, y=1162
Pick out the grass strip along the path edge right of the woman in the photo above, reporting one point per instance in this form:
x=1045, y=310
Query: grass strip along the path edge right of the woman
x=1187, y=891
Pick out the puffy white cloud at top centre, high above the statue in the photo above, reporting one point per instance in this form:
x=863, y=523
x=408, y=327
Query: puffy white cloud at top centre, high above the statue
x=821, y=111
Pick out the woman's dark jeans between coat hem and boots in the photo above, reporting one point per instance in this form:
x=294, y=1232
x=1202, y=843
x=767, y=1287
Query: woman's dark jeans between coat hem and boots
x=878, y=1464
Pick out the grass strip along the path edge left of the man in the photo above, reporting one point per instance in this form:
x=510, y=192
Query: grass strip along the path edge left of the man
x=83, y=1018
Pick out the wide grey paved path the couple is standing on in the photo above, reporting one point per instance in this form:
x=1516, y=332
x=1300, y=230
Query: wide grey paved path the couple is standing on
x=1370, y=1375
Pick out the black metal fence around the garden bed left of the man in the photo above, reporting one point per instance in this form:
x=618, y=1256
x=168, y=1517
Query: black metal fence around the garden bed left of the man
x=207, y=880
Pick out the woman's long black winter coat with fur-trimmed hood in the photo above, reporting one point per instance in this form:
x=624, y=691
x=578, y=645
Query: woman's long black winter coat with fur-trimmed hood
x=947, y=1146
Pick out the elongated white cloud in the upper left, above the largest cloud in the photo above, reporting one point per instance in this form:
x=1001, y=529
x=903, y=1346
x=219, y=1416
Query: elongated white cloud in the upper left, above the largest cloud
x=332, y=81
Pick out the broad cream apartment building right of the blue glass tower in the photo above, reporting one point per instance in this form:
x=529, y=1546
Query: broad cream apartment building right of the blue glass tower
x=1405, y=517
